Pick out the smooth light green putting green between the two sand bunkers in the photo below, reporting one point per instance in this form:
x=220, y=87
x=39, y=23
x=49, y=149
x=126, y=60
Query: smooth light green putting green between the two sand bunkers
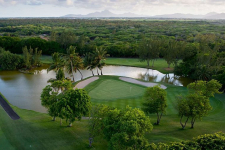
x=110, y=89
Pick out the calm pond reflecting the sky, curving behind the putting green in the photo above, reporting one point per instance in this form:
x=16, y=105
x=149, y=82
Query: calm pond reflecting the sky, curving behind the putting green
x=24, y=90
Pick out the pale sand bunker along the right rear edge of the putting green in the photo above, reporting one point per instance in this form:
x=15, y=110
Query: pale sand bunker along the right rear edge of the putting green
x=147, y=84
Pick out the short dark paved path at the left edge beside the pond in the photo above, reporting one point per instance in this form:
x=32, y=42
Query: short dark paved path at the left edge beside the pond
x=8, y=109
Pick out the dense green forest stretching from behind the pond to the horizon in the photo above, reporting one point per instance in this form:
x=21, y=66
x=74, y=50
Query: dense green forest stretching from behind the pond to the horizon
x=120, y=38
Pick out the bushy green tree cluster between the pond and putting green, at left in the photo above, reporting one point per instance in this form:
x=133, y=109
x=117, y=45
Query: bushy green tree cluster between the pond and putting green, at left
x=64, y=102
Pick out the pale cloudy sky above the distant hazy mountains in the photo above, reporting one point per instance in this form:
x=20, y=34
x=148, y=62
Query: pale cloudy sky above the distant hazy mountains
x=57, y=8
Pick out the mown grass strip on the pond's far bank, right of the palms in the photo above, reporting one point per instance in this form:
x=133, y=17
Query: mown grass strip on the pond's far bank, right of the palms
x=160, y=64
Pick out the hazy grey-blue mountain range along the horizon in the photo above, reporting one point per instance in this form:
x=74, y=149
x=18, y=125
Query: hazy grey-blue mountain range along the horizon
x=108, y=14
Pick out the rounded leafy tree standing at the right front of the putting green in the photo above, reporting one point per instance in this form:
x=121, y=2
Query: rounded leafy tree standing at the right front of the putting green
x=155, y=102
